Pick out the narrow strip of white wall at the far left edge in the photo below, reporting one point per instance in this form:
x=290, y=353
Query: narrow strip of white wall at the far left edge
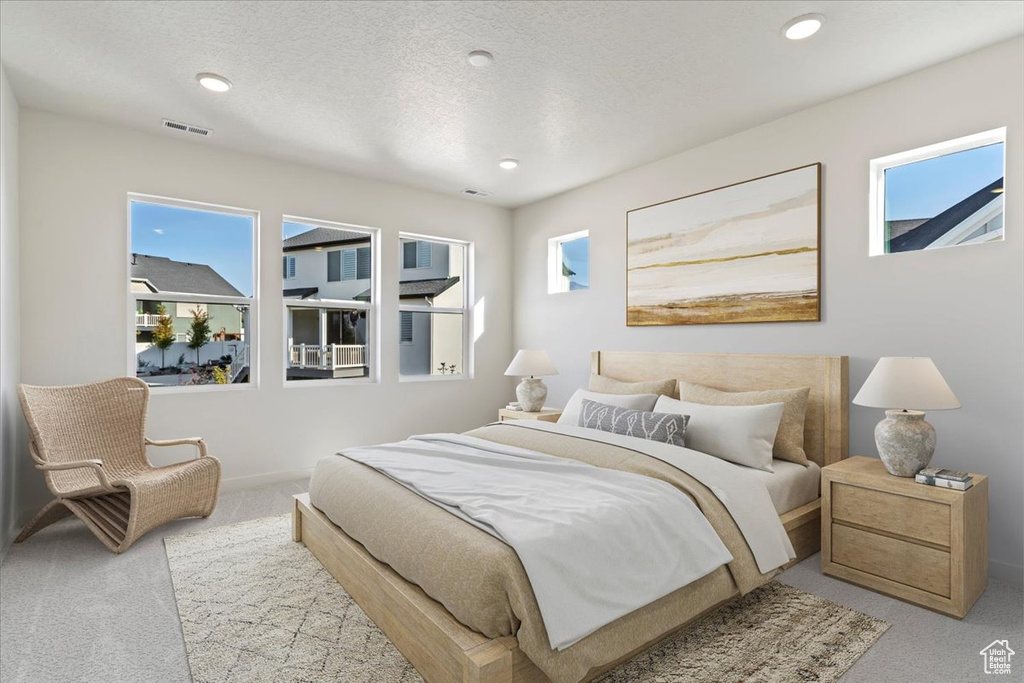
x=12, y=428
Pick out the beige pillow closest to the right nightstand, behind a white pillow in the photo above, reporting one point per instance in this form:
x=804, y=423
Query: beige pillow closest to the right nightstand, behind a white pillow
x=790, y=440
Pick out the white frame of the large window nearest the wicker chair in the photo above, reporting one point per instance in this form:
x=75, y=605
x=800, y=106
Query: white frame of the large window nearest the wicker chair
x=253, y=303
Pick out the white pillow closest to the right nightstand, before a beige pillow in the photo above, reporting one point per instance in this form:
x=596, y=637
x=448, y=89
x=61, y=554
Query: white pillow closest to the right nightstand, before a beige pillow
x=742, y=435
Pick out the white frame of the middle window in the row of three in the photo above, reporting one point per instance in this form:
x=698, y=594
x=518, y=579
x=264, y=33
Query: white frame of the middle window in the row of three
x=372, y=308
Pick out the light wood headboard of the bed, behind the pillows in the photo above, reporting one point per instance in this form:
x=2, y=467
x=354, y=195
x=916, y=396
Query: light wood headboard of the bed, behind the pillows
x=827, y=429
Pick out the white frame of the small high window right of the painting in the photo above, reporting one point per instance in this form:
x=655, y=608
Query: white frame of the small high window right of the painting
x=877, y=181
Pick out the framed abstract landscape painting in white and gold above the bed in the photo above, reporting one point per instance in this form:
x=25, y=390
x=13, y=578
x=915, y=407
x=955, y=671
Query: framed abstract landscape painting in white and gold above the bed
x=744, y=253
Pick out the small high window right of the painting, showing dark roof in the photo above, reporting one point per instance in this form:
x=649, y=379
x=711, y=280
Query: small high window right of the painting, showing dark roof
x=946, y=195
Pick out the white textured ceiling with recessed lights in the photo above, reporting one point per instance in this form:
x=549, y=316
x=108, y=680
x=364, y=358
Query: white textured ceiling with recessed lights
x=578, y=91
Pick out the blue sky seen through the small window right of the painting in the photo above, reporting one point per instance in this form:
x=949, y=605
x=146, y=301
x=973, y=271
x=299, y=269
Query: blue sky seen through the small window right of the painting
x=926, y=189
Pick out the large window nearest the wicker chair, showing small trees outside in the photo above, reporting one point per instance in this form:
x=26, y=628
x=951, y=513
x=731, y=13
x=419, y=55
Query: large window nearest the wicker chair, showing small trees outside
x=192, y=283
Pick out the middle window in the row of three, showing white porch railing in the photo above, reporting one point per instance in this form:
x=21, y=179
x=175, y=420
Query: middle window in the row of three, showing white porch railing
x=331, y=305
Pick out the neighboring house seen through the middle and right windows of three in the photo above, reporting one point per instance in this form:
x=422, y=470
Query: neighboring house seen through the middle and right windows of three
x=330, y=264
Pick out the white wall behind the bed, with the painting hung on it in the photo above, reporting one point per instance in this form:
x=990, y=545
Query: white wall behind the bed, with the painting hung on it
x=961, y=307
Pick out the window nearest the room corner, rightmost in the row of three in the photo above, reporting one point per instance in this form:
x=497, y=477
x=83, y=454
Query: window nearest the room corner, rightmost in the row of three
x=434, y=301
